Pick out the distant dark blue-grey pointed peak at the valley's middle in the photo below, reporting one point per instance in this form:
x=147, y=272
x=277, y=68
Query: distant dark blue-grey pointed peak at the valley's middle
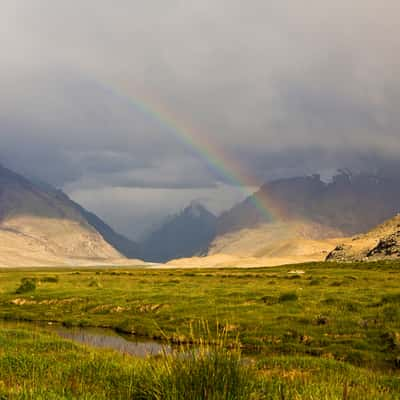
x=182, y=235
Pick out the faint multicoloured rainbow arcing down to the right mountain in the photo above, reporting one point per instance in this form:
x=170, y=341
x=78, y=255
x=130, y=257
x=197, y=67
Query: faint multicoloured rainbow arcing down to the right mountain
x=212, y=154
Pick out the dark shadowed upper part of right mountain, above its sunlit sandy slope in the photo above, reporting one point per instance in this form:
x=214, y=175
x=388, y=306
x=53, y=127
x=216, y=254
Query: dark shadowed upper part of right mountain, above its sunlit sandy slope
x=349, y=203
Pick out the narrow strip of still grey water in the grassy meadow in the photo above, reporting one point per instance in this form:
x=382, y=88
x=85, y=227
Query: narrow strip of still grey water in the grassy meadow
x=106, y=338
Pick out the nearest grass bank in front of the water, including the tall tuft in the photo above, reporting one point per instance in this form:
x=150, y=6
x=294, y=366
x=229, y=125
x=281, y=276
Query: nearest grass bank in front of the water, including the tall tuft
x=38, y=365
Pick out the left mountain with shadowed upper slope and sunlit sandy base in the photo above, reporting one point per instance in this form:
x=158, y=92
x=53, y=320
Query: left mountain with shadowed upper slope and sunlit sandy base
x=42, y=226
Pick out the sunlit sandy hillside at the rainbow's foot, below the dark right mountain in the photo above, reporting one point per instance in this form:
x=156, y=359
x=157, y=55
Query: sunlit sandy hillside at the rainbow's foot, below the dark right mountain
x=268, y=245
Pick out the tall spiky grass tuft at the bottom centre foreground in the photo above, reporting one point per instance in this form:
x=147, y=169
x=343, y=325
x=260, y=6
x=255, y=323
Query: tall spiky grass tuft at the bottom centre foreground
x=211, y=370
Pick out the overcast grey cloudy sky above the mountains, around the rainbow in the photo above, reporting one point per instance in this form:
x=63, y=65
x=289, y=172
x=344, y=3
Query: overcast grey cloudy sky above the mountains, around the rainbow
x=284, y=88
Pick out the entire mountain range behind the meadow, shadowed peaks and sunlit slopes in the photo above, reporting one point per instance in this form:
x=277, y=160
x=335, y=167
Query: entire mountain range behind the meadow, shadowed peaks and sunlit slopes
x=287, y=220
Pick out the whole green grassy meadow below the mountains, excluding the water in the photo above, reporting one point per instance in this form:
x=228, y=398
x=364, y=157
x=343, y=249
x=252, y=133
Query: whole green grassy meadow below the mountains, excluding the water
x=332, y=332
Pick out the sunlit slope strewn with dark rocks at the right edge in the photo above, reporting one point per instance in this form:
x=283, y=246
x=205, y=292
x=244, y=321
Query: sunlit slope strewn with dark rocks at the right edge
x=381, y=243
